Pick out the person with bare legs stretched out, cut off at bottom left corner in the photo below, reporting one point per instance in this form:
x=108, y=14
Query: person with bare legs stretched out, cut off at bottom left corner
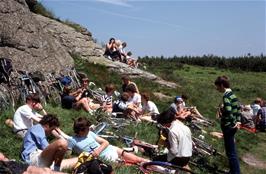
x=14, y=167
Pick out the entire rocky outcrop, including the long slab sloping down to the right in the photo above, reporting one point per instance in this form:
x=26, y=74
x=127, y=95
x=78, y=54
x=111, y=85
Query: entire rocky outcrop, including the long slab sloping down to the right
x=35, y=42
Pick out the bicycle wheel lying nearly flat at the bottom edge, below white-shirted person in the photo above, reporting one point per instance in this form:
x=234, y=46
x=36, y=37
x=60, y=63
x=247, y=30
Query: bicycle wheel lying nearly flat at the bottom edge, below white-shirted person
x=164, y=168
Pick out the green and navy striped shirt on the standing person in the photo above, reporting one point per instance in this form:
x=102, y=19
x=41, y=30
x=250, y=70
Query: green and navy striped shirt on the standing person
x=231, y=110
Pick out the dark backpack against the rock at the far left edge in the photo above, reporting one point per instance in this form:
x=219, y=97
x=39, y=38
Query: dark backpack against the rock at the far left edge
x=5, y=69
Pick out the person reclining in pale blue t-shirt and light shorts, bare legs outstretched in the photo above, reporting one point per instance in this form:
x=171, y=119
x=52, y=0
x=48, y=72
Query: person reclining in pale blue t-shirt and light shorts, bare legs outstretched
x=85, y=140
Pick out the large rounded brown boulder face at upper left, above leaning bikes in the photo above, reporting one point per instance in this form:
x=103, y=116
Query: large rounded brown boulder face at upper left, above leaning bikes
x=23, y=39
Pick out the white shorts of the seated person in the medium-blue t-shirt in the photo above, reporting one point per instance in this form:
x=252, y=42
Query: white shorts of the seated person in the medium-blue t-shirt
x=37, y=160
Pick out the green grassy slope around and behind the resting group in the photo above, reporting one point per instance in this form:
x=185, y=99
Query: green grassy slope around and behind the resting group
x=197, y=82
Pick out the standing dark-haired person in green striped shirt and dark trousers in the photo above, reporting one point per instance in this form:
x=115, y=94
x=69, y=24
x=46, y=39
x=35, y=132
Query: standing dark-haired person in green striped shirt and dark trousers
x=230, y=121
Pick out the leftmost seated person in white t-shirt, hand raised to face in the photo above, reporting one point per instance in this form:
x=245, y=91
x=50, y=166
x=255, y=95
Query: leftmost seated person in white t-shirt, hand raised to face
x=27, y=114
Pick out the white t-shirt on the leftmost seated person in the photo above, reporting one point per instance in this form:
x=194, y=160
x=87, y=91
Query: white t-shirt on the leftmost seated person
x=22, y=118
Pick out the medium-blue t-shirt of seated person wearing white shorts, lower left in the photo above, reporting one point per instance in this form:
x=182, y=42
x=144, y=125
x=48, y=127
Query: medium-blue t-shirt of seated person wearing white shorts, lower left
x=35, y=138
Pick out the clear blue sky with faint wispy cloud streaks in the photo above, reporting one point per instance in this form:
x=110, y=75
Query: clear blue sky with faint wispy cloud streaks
x=172, y=27
